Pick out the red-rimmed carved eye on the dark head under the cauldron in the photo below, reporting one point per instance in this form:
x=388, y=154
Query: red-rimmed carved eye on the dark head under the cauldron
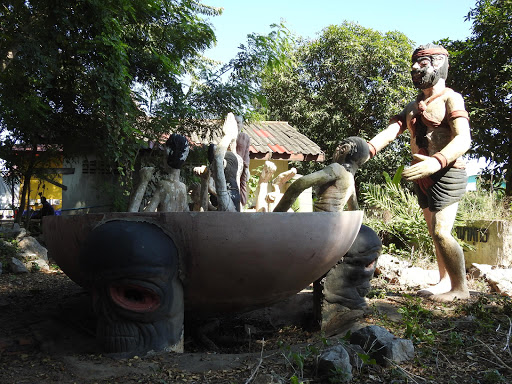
x=134, y=297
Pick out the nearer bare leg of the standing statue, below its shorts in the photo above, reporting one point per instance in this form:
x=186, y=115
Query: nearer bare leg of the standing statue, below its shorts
x=449, y=255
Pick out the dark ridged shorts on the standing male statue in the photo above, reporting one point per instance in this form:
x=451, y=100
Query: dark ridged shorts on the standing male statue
x=449, y=187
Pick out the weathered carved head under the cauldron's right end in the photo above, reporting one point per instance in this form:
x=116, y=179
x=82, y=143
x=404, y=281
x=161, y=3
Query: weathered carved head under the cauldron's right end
x=349, y=281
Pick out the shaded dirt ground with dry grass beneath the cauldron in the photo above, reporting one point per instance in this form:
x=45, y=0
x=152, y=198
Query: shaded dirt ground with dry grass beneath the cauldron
x=47, y=336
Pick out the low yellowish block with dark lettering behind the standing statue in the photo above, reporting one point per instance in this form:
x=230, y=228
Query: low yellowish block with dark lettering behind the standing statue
x=492, y=241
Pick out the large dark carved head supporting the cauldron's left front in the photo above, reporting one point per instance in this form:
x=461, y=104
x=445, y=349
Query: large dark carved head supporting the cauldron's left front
x=132, y=270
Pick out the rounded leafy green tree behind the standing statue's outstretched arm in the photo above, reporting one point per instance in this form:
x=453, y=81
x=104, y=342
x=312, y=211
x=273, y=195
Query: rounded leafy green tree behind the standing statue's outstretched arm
x=347, y=82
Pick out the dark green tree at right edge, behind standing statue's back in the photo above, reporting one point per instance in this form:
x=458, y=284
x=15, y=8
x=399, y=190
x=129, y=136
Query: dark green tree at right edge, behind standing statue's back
x=481, y=69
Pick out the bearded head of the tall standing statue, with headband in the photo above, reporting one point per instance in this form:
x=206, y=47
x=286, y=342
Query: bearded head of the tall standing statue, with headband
x=429, y=64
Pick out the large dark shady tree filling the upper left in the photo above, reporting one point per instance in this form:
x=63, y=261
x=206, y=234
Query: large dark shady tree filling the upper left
x=68, y=72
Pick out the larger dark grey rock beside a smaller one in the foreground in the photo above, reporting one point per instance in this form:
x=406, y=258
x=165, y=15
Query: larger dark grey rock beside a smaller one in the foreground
x=383, y=346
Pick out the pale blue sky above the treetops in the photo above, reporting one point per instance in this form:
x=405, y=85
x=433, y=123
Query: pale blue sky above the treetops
x=442, y=19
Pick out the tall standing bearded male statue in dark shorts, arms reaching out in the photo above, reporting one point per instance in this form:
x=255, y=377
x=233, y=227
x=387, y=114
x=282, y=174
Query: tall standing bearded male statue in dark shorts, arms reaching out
x=440, y=135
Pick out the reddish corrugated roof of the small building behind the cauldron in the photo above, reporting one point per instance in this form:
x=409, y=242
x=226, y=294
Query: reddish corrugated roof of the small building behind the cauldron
x=279, y=140
